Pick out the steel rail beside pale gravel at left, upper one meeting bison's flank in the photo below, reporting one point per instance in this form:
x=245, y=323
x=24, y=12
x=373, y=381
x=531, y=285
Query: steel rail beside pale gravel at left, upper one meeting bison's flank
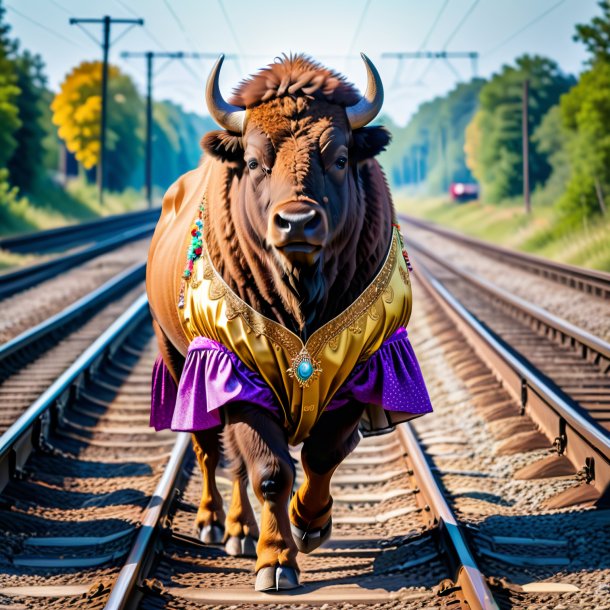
x=96, y=298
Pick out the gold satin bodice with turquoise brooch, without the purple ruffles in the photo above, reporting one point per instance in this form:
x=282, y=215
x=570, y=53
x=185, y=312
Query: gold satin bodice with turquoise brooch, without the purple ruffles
x=303, y=376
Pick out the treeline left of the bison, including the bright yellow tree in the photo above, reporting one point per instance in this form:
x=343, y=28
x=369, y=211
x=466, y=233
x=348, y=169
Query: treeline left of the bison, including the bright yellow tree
x=37, y=126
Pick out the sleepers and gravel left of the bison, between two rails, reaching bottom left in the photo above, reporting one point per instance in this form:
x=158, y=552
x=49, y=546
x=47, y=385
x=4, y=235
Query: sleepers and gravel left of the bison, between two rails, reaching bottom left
x=69, y=519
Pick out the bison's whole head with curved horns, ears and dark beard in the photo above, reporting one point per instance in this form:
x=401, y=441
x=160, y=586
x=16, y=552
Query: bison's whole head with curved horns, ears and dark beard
x=295, y=137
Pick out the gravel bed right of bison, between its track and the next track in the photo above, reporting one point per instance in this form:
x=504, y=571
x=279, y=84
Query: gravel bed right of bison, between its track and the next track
x=519, y=540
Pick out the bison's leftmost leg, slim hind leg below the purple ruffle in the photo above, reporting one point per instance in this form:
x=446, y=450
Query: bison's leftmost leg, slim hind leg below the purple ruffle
x=210, y=515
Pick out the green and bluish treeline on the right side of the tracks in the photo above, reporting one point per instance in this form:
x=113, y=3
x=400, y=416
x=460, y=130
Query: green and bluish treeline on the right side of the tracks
x=475, y=132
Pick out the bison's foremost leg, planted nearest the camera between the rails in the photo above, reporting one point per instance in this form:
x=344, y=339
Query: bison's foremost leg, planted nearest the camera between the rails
x=261, y=443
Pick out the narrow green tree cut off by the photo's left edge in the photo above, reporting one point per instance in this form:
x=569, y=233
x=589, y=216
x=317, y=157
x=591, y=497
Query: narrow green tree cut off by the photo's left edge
x=9, y=91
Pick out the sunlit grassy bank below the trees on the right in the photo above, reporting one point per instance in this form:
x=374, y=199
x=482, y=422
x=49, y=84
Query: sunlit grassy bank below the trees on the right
x=585, y=243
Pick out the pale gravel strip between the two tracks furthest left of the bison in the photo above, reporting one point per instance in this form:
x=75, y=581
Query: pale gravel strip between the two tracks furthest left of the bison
x=32, y=306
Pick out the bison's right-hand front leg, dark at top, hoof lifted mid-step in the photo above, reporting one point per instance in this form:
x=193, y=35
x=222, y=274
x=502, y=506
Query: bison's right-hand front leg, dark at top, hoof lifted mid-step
x=334, y=437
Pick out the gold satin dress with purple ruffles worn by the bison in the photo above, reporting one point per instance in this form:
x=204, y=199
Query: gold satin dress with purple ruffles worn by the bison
x=236, y=354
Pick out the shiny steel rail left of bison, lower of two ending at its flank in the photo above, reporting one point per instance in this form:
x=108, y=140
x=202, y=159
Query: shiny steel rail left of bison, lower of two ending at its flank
x=18, y=441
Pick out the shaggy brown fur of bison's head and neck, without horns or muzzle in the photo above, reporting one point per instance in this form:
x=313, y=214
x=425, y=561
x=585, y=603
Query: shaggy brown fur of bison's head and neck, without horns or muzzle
x=294, y=104
